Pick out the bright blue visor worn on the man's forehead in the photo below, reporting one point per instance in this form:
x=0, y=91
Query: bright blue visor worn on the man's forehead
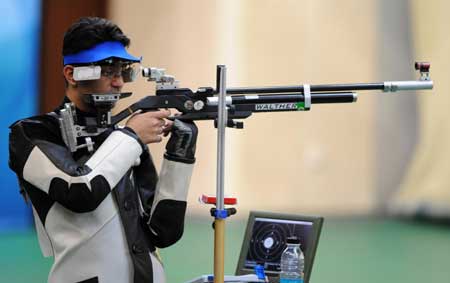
x=102, y=51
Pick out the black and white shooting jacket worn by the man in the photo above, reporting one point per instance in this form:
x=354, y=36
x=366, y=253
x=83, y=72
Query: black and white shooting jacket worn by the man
x=100, y=215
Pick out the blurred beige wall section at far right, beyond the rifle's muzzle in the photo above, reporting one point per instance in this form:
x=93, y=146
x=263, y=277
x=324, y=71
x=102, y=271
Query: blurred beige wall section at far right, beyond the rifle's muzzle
x=425, y=189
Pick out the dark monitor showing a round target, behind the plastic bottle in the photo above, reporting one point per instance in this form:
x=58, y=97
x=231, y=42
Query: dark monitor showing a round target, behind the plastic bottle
x=265, y=240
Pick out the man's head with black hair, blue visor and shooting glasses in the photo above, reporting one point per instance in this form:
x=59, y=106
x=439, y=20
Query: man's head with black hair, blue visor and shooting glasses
x=95, y=59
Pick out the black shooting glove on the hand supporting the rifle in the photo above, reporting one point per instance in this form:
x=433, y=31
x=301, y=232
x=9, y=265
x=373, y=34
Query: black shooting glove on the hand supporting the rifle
x=181, y=145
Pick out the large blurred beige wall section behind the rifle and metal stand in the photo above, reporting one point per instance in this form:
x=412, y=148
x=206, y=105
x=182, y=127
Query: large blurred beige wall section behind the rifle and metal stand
x=323, y=161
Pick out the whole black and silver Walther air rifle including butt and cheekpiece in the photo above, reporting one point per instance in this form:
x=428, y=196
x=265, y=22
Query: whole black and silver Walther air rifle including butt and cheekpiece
x=241, y=102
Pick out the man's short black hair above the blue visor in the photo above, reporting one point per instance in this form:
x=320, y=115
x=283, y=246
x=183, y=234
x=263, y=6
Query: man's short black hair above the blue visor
x=87, y=32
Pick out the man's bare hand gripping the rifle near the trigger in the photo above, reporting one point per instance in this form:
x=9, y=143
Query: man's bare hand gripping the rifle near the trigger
x=149, y=126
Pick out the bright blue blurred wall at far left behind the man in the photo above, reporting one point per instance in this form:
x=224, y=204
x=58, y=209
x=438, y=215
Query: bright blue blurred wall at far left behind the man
x=19, y=90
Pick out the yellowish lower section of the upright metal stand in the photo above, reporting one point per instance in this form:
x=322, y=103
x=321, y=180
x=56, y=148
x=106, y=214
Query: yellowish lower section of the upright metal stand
x=219, y=250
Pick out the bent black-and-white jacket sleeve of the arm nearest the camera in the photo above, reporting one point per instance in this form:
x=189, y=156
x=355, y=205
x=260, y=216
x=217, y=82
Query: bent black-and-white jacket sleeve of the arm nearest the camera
x=40, y=159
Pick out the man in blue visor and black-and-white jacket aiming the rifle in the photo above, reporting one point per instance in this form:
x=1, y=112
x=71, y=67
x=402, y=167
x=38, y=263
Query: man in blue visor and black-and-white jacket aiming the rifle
x=101, y=211
